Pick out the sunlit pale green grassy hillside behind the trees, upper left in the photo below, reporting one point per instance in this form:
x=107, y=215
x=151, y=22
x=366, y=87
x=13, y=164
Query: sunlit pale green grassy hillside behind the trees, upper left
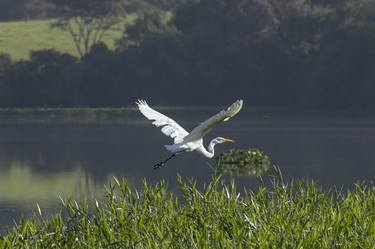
x=20, y=37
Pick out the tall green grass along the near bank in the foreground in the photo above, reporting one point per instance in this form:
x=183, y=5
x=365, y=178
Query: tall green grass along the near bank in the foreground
x=279, y=215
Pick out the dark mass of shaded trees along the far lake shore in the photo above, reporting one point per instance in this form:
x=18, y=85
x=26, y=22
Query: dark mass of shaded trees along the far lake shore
x=270, y=52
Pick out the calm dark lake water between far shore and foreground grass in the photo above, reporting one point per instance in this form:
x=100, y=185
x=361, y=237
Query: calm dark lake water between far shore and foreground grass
x=39, y=163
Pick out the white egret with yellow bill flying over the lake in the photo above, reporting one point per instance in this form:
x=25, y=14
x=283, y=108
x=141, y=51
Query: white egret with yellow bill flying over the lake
x=184, y=141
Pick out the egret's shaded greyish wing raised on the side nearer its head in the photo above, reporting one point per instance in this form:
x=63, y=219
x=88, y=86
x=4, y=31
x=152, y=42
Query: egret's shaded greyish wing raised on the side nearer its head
x=202, y=129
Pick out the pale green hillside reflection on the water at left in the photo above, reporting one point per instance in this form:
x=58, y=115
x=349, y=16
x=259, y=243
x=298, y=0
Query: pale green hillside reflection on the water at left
x=20, y=183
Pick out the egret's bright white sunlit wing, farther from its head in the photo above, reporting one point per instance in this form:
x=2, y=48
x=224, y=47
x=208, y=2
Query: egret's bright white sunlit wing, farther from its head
x=169, y=126
